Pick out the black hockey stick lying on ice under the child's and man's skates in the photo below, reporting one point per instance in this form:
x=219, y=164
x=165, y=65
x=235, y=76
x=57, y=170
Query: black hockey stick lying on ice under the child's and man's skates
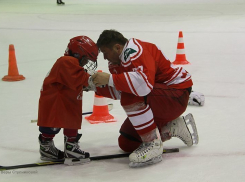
x=95, y=158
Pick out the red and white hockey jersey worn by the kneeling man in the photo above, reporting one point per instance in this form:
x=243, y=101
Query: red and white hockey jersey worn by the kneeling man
x=142, y=65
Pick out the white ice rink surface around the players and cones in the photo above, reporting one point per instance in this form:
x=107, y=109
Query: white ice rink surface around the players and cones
x=214, y=37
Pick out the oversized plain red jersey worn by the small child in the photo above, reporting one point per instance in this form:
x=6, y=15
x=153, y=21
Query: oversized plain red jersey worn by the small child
x=60, y=103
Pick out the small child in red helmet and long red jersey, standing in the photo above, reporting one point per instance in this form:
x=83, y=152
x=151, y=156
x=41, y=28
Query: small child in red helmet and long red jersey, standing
x=60, y=103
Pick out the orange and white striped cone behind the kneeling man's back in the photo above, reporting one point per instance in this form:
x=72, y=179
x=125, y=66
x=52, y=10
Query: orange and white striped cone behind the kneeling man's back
x=180, y=54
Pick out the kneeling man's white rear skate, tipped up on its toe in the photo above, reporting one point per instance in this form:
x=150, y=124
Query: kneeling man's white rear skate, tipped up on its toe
x=183, y=128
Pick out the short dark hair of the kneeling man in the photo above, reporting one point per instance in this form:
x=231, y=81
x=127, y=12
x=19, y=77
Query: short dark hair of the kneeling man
x=108, y=38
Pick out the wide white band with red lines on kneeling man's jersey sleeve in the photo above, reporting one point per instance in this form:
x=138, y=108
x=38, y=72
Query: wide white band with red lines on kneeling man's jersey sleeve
x=138, y=83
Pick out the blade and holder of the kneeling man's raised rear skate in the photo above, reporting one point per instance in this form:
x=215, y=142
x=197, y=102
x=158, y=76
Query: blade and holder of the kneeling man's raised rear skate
x=189, y=119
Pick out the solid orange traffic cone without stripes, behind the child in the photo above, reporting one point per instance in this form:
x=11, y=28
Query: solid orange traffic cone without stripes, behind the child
x=13, y=73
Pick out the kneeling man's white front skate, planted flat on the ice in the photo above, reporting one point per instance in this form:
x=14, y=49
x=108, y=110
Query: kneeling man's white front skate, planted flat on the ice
x=147, y=154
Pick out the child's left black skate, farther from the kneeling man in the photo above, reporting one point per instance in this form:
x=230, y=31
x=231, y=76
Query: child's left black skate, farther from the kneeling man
x=48, y=151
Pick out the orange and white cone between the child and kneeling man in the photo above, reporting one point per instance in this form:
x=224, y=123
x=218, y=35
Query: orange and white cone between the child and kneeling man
x=100, y=111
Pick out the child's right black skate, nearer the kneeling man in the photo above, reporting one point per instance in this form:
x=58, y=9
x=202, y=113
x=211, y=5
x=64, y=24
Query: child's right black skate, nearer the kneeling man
x=73, y=154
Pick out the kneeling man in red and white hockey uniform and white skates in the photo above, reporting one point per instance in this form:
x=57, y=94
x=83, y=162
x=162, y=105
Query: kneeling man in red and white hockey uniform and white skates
x=152, y=92
